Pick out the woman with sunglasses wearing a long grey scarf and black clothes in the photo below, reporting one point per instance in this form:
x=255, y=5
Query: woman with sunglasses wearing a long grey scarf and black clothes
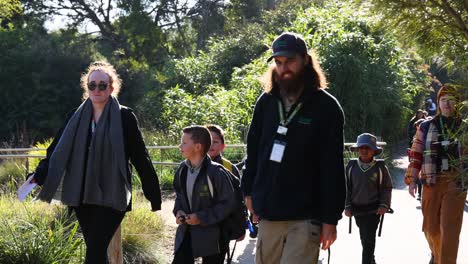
x=87, y=165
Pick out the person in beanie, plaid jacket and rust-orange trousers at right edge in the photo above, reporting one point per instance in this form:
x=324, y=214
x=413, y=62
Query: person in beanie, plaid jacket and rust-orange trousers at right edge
x=436, y=152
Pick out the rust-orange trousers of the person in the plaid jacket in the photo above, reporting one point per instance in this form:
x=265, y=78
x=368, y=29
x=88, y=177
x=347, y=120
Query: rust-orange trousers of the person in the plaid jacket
x=442, y=207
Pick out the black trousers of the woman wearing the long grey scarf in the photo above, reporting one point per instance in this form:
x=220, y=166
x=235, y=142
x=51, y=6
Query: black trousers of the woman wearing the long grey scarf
x=98, y=225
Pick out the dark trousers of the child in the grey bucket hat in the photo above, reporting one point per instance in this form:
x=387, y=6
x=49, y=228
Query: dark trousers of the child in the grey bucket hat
x=367, y=224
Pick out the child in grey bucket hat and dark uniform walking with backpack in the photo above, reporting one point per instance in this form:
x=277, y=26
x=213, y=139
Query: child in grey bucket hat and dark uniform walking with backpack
x=368, y=192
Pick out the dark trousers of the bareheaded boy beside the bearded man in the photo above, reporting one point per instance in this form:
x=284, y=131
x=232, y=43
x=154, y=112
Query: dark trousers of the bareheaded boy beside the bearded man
x=184, y=253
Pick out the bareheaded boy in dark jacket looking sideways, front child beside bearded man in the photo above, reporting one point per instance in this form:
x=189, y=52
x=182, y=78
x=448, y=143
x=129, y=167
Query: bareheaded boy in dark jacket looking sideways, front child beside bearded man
x=204, y=199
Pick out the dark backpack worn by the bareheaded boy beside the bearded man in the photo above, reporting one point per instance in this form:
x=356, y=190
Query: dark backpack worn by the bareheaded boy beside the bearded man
x=233, y=227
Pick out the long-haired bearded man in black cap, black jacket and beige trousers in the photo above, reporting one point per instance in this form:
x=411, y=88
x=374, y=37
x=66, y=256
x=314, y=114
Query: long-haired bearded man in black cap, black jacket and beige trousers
x=294, y=180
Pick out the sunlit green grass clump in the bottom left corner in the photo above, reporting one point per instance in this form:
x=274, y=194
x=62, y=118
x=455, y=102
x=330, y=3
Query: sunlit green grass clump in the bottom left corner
x=37, y=233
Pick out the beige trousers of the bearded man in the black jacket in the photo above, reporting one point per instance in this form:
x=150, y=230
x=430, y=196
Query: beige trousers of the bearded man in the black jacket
x=286, y=242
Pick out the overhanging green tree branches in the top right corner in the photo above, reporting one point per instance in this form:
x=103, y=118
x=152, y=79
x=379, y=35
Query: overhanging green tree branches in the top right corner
x=439, y=28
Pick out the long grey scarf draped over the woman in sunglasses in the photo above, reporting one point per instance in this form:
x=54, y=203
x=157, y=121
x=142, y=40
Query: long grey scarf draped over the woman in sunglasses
x=92, y=175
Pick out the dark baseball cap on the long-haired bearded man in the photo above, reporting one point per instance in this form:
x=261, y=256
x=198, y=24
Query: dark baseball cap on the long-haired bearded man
x=288, y=45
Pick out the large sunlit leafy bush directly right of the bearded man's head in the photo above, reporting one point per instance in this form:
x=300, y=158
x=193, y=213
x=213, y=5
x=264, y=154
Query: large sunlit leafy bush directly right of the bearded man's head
x=371, y=77
